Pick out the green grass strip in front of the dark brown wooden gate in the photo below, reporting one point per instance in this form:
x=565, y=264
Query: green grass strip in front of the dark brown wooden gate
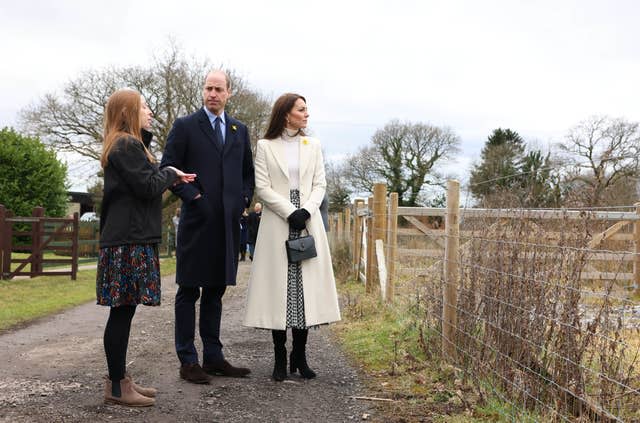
x=23, y=300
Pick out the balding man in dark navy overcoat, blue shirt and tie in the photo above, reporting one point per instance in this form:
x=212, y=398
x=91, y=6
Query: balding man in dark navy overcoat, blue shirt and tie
x=216, y=147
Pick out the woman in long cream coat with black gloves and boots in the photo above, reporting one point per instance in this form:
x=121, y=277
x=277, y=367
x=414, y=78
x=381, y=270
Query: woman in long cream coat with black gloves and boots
x=290, y=182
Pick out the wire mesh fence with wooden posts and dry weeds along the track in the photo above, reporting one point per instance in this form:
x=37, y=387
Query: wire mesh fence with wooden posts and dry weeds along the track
x=543, y=306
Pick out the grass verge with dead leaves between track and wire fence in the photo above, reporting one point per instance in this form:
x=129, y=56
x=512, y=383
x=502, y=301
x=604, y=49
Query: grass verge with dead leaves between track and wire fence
x=401, y=362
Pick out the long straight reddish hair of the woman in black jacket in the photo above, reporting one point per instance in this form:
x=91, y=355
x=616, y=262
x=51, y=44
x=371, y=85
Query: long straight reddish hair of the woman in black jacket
x=122, y=119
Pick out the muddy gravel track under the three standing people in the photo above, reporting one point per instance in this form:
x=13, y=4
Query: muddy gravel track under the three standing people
x=52, y=371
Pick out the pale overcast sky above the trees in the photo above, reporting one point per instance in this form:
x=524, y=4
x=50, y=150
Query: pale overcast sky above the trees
x=537, y=67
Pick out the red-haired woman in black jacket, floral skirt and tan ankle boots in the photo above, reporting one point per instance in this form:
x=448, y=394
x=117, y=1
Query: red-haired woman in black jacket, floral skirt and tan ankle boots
x=128, y=271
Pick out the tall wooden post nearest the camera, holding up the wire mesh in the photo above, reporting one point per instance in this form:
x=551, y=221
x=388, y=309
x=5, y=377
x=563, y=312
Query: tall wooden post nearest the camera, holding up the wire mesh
x=451, y=269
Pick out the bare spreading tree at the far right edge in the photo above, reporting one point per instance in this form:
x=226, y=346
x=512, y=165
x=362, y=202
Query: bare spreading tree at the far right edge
x=600, y=152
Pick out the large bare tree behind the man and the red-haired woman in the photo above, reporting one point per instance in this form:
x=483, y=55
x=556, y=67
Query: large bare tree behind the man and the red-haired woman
x=71, y=121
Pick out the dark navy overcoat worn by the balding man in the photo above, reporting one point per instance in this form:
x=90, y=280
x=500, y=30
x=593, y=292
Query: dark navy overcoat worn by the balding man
x=209, y=228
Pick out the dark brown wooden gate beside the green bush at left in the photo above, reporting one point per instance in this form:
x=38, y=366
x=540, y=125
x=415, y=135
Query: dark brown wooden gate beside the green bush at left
x=45, y=234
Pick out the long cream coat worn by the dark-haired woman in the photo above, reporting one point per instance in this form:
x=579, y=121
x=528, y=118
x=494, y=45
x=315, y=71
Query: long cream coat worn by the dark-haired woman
x=267, y=295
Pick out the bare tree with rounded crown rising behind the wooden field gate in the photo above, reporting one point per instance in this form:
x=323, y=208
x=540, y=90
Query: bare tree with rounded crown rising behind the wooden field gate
x=404, y=156
